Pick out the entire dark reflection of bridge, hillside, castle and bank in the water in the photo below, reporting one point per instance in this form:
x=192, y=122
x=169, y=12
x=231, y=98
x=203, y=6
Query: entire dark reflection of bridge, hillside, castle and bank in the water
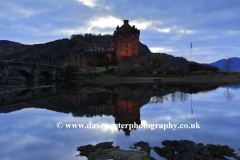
x=123, y=102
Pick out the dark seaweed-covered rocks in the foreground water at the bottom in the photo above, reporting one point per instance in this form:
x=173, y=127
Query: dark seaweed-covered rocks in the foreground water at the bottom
x=172, y=150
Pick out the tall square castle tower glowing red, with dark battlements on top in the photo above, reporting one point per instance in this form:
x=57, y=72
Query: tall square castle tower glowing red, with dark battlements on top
x=126, y=41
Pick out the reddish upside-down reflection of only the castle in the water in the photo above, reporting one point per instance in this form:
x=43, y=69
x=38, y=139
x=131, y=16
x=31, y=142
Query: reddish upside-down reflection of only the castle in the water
x=123, y=106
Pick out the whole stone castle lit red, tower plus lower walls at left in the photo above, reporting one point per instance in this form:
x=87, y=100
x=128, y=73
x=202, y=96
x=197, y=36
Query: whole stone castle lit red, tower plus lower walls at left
x=125, y=44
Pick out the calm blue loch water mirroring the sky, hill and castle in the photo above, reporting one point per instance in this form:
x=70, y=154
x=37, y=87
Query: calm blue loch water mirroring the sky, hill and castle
x=33, y=121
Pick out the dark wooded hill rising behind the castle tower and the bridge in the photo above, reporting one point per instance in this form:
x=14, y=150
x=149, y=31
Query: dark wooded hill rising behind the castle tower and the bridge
x=56, y=52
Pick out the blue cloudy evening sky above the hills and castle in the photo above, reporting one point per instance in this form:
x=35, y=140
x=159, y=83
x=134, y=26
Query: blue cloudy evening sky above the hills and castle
x=213, y=26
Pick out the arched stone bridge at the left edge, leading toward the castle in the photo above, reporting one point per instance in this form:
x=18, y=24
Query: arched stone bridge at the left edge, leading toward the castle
x=31, y=71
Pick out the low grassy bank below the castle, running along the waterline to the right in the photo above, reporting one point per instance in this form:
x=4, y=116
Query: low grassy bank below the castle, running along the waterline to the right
x=107, y=75
